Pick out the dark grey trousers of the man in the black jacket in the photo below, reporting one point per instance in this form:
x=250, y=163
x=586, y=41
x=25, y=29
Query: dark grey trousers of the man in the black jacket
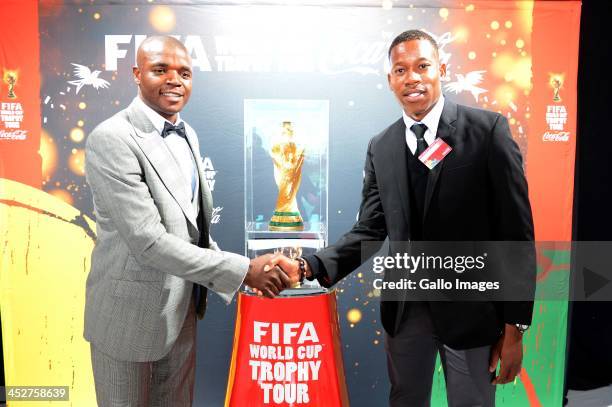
x=411, y=357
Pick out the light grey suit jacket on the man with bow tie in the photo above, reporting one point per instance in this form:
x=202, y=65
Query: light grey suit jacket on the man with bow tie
x=146, y=257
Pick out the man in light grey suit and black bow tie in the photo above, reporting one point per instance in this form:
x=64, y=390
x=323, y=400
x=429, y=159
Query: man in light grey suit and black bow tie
x=154, y=258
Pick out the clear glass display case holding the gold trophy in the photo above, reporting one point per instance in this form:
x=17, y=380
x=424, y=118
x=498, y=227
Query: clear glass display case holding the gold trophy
x=286, y=176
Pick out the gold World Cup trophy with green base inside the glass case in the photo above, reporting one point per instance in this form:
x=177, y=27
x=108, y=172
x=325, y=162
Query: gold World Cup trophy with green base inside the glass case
x=288, y=159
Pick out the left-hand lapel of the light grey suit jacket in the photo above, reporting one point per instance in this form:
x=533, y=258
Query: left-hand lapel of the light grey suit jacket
x=161, y=159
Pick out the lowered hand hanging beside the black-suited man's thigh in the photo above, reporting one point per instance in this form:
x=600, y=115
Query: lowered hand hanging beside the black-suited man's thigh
x=509, y=352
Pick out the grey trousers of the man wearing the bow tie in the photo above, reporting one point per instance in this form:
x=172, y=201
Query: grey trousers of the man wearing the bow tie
x=167, y=382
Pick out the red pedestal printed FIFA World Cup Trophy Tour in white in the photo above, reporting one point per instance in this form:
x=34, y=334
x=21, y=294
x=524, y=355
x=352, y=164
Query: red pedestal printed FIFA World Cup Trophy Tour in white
x=287, y=352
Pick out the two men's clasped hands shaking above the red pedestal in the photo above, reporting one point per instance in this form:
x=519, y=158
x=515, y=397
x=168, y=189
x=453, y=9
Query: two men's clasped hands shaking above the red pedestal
x=270, y=274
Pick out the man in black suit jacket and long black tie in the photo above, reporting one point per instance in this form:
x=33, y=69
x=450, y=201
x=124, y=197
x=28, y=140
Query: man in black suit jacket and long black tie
x=477, y=193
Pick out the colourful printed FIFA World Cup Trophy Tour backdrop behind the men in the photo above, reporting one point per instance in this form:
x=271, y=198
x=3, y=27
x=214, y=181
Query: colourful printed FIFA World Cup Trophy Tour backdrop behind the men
x=66, y=65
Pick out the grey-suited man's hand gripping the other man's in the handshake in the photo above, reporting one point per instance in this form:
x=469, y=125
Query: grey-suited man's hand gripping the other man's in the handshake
x=264, y=278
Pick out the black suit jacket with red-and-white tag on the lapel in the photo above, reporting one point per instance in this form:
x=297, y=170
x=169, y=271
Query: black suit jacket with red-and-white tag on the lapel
x=477, y=193
